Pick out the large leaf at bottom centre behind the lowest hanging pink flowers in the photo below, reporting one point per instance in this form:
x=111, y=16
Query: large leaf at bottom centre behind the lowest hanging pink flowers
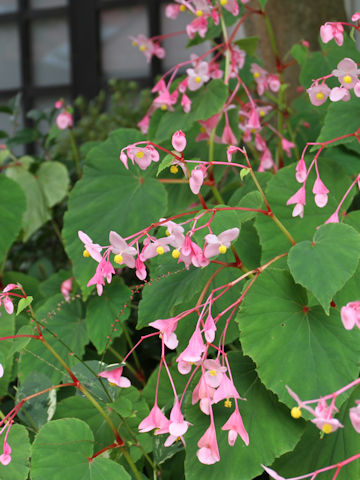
x=271, y=430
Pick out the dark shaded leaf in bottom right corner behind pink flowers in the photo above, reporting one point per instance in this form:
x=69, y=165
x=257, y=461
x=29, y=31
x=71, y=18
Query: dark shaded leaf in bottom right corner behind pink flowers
x=314, y=452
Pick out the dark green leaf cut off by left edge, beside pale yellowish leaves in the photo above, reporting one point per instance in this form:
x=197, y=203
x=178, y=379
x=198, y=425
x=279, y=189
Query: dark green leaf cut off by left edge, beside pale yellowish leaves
x=12, y=207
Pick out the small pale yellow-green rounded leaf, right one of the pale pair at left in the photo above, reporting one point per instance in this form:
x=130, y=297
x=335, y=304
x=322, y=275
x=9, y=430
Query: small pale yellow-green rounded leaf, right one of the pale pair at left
x=54, y=180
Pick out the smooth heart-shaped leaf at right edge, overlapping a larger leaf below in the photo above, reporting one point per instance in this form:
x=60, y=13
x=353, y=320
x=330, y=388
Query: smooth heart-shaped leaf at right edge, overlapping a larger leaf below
x=324, y=265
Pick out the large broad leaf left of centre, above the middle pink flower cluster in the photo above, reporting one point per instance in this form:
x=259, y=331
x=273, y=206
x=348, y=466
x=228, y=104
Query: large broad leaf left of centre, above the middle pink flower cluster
x=109, y=197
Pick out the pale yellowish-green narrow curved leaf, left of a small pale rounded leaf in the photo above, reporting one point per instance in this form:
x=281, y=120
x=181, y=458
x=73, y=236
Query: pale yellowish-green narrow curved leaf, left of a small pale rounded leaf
x=36, y=213
